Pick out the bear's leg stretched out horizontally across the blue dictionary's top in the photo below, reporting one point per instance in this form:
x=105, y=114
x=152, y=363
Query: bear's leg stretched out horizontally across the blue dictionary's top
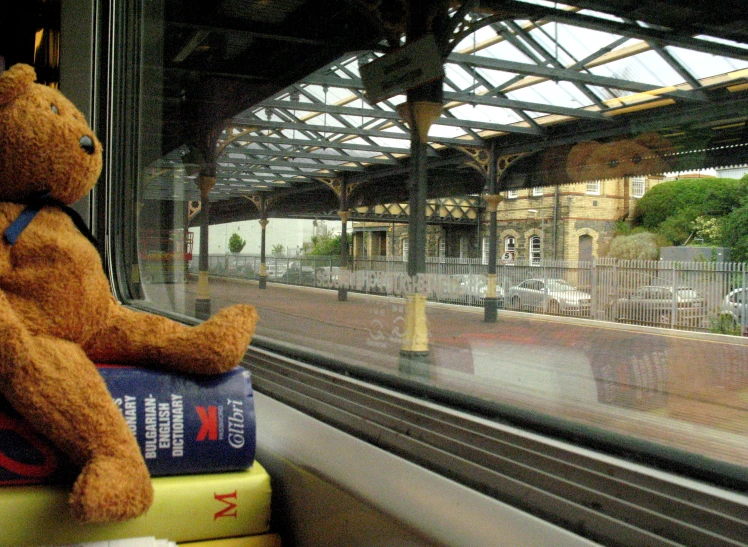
x=216, y=345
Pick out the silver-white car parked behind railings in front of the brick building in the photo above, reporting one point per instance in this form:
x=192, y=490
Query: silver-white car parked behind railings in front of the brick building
x=555, y=296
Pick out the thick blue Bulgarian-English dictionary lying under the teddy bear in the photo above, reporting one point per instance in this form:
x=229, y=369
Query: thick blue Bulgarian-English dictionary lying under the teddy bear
x=183, y=425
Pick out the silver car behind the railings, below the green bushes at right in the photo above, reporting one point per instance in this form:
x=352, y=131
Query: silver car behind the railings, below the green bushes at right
x=656, y=304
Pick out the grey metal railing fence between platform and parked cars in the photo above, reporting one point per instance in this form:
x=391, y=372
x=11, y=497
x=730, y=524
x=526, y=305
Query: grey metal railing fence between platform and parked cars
x=681, y=295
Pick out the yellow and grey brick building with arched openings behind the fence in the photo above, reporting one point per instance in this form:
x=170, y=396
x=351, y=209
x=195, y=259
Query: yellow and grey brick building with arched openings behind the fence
x=570, y=222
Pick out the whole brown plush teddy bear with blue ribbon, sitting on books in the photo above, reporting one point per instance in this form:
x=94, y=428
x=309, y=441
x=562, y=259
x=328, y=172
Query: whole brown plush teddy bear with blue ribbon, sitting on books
x=57, y=315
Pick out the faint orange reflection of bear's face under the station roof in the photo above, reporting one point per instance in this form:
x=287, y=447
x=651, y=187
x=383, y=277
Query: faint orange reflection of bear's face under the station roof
x=648, y=154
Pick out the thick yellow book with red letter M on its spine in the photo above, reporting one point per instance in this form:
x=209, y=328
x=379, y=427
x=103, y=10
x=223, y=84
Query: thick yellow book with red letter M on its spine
x=185, y=508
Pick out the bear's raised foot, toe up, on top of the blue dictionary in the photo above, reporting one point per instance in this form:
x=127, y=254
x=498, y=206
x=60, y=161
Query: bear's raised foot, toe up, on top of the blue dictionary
x=222, y=340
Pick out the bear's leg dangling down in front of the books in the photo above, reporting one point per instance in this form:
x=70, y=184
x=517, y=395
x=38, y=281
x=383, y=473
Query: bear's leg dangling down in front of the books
x=58, y=390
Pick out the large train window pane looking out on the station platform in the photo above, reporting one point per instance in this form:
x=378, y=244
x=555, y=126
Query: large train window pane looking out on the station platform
x=269, y=137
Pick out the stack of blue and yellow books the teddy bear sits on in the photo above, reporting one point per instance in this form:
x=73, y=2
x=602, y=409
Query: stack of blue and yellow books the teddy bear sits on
x=197, y=435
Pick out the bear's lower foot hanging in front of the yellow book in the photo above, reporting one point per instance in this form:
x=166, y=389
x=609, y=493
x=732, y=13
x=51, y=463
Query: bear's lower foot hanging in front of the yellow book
x=111, y=490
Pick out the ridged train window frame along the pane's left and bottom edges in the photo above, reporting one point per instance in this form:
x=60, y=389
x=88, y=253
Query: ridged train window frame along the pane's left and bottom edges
x=595, y=485
